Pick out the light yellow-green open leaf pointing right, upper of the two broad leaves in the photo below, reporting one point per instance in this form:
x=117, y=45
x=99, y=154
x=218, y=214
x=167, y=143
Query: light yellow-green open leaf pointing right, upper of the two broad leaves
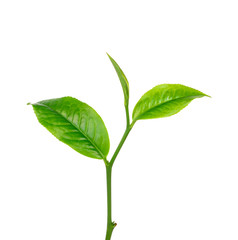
x=164, y=100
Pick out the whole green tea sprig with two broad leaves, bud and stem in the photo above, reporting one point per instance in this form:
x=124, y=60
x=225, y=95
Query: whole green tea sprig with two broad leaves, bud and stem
x=79, y=126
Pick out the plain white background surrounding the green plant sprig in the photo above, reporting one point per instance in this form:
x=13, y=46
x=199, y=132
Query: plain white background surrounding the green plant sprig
x=175, y=178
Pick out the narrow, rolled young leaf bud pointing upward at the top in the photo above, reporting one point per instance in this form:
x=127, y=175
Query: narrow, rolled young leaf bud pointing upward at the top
x=123, y=80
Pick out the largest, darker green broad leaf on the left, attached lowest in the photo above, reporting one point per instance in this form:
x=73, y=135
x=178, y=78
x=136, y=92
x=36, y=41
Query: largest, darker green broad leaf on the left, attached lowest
x=75, y=124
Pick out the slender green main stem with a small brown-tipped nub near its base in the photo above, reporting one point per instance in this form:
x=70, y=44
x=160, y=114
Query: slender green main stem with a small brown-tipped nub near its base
x=111, y=225
